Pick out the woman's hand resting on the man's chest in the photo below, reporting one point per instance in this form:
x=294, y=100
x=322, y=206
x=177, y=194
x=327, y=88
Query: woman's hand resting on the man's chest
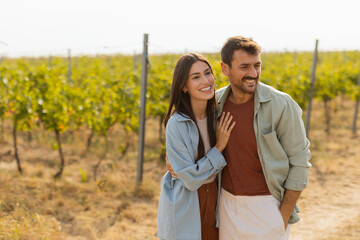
x=223, y=130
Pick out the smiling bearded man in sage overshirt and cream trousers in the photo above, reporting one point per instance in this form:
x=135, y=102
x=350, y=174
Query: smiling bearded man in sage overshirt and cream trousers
x=267, y=155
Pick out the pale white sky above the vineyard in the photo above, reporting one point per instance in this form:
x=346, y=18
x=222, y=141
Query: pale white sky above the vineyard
x=51, y=27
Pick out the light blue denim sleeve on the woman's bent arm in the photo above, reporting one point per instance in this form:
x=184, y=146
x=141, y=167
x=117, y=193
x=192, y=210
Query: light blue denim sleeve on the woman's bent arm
x=180, y=153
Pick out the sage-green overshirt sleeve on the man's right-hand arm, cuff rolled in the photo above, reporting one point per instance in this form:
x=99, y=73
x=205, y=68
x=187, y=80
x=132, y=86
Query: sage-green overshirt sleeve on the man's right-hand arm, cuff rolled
x=292, y=136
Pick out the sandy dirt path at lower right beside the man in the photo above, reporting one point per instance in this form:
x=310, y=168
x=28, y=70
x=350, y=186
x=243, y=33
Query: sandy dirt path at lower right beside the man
x=330, y=205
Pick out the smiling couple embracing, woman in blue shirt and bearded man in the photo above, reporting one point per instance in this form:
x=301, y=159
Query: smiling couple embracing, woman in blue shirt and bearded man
x=238, y=158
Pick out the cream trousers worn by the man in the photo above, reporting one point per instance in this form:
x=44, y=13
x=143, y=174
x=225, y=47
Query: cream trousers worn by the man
x=250, y=218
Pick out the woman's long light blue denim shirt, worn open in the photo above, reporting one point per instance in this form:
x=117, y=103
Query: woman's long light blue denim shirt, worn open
x=178, y=211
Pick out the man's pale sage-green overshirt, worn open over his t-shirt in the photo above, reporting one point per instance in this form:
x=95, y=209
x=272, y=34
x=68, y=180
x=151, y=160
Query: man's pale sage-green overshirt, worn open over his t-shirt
x=281, y=140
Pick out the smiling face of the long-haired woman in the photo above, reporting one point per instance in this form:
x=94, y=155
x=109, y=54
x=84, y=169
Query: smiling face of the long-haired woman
x=200, y=84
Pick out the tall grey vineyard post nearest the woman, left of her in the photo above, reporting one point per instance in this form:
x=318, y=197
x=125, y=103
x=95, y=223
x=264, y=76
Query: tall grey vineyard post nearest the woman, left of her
x=144, y=65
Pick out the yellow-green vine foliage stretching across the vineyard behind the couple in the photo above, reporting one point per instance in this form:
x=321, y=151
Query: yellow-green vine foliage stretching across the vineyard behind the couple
x=105, y=90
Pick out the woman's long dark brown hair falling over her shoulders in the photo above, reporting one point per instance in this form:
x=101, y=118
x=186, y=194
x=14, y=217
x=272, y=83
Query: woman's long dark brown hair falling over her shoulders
x=180, y=101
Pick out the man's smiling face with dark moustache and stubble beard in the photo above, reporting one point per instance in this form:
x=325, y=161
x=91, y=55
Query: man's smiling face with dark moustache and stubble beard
x=244, y=72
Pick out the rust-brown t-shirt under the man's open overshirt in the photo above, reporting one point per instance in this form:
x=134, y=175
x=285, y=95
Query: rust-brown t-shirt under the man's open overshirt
x=243, y=174
